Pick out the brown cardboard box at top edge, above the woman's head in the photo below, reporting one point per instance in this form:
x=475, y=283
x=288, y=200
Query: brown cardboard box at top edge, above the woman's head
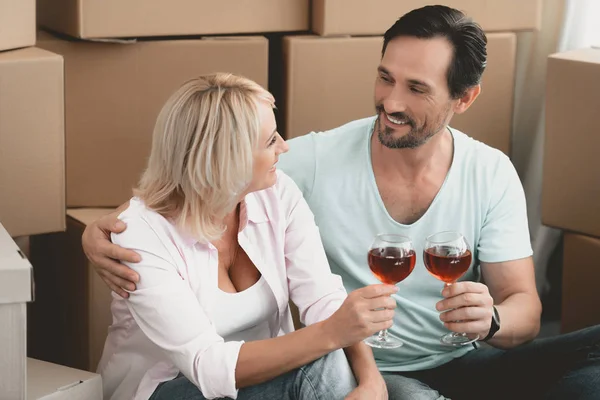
x=137, y=18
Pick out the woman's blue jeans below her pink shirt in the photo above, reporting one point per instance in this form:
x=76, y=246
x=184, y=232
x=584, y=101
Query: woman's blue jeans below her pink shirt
x=328, y=378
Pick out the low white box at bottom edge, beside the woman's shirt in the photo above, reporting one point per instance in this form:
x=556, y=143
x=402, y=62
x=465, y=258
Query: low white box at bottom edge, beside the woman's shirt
x=46, y=381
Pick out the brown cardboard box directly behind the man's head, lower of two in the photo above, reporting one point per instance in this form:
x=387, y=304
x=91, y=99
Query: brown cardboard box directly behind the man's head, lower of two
x=322, y=92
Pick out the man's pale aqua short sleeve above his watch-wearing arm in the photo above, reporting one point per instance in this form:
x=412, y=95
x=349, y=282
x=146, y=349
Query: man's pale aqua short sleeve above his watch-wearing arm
x=505, y=231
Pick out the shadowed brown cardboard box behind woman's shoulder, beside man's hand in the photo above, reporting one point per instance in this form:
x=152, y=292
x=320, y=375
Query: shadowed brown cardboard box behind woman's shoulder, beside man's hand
x=71, y=297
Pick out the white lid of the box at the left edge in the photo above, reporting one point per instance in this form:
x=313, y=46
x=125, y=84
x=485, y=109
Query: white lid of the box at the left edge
x=16, y=281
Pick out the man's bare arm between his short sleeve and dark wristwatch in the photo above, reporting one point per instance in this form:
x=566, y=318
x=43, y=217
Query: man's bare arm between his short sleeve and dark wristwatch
x=512, y=286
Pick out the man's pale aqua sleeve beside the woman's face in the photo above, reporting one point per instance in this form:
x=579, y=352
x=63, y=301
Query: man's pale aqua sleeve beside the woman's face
x=299, y=163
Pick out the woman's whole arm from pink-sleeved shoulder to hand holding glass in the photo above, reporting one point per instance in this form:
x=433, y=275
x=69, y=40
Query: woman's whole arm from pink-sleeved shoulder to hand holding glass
x=168, y=312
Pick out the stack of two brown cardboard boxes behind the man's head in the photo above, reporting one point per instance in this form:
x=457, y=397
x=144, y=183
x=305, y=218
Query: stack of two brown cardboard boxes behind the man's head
x=329, y=79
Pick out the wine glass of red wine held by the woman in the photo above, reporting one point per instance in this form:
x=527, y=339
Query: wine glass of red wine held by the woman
x=391, y=259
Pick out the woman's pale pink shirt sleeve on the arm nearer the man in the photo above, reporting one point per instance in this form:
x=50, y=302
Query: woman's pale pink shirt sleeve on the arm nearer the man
x=314, y=289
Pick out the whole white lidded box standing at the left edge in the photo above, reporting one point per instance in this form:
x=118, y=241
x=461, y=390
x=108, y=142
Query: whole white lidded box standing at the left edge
x=16, y=289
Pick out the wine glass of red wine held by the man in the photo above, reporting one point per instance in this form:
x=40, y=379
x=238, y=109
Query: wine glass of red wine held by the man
x=447, y=256
